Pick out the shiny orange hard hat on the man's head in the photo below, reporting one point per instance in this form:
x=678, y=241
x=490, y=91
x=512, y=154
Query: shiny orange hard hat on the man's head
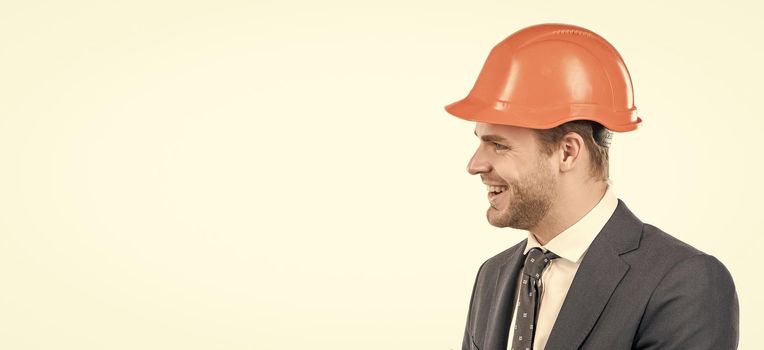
x=548, y=74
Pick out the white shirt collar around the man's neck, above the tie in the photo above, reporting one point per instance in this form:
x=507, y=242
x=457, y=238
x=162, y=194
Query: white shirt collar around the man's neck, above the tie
x=572, y=243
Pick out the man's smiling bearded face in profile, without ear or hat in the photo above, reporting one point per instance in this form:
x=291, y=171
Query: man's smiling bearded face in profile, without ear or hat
x=510, y=158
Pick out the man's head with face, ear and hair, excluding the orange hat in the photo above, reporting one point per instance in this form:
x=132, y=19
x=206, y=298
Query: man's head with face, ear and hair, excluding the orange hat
x=527, y=170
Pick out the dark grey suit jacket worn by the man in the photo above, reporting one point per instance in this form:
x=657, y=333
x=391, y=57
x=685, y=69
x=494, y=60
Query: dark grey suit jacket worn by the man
x=637, y=288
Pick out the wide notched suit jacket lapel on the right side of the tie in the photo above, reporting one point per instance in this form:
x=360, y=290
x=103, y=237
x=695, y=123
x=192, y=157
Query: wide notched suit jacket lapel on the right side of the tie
x=599, y=274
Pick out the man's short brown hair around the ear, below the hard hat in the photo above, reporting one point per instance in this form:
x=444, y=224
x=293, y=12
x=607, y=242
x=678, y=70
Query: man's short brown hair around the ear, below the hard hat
x=596, y=137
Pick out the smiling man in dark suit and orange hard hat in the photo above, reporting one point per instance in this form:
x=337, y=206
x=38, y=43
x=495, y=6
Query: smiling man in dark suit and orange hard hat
x=590, y=275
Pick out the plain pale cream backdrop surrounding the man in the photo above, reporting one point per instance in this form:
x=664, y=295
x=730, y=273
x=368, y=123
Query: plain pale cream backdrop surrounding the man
x=282, y=174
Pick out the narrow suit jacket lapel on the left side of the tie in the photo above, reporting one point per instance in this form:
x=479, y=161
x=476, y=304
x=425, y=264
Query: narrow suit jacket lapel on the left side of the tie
x=502, y=305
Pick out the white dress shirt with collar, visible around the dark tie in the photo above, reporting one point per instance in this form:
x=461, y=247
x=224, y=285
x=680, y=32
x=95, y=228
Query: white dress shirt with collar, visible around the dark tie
x=571, y=246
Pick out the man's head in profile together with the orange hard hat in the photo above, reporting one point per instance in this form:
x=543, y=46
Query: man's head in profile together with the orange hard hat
x=535, y=90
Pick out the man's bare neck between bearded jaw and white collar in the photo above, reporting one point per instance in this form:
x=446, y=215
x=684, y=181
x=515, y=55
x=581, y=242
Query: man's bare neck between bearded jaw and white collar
x=570, y=206
